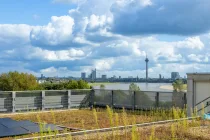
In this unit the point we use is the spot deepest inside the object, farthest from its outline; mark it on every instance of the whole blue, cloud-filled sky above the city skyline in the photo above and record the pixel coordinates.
(67, 37)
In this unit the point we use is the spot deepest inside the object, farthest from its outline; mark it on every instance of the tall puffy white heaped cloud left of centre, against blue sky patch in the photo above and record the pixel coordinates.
(58, 31)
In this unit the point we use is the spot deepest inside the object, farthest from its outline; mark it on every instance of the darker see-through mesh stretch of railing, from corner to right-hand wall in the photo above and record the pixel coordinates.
(139, 99)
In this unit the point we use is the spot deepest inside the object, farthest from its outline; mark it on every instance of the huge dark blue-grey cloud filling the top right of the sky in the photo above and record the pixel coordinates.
(161, 17)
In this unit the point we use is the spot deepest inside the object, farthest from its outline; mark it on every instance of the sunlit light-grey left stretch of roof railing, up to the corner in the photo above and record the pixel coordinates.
(43, 100)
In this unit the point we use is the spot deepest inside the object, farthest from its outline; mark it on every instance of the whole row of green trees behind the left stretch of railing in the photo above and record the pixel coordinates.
(15, 81)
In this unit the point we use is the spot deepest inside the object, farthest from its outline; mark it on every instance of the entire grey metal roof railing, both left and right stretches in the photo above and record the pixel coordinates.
(65, 99)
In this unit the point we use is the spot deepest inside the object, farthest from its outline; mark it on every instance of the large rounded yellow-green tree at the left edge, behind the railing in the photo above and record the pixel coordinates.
(15, 81)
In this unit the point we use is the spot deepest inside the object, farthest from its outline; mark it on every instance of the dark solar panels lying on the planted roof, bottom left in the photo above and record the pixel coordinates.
(9, 127)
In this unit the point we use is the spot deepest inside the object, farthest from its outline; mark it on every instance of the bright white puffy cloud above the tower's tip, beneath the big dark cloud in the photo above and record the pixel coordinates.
(173, 51)
